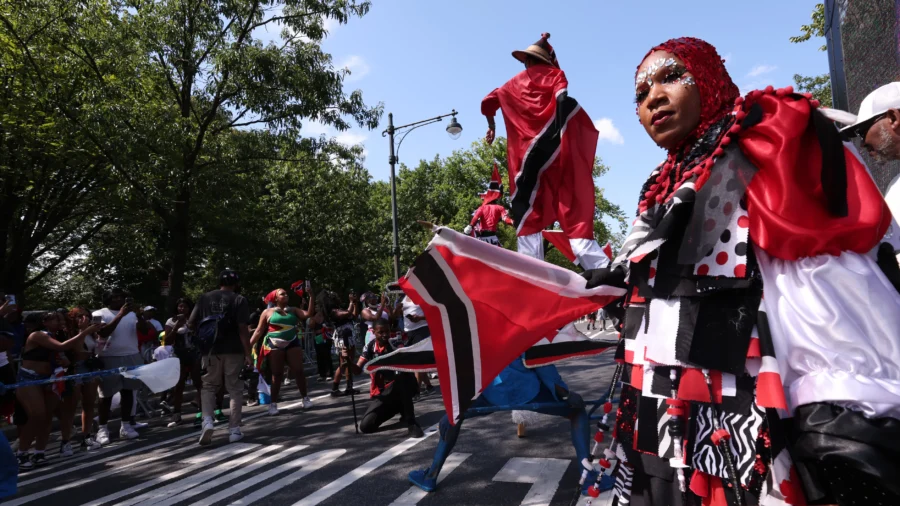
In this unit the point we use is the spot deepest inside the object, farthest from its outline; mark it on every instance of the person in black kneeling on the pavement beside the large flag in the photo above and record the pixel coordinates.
(391, 392)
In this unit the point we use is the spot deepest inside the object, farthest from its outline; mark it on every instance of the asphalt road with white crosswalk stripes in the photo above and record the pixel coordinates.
(315, 457)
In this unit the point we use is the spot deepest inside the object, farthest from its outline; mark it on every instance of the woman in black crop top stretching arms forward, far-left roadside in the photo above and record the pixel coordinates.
(39, 401)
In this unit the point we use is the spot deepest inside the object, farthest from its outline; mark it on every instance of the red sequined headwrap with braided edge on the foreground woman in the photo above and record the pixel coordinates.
(717, 96)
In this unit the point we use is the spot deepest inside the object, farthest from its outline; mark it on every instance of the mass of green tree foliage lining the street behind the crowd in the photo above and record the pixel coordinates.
(153, 142)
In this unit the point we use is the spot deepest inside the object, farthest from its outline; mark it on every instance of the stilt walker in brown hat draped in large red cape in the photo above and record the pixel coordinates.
(551, 143)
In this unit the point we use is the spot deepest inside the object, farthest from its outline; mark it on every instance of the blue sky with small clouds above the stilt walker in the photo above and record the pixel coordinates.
(424, 58)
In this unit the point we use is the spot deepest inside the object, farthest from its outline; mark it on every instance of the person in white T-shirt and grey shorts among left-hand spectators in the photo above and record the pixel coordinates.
(118, 347)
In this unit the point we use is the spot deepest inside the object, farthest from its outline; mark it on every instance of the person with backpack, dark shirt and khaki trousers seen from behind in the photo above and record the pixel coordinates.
(219, 326)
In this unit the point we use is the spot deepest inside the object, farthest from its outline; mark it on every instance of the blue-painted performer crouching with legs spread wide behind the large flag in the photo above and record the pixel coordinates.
(516, 385)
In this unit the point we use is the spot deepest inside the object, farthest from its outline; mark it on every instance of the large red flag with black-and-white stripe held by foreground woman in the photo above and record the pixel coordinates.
(485, 306)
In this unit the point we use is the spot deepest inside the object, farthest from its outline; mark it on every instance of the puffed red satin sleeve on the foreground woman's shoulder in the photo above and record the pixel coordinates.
(786, 204)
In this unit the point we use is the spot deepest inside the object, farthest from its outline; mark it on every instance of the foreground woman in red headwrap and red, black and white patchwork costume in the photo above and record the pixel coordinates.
(791, 398)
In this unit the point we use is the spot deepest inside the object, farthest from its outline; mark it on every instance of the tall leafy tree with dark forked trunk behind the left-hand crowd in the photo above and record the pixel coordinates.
(176, 78)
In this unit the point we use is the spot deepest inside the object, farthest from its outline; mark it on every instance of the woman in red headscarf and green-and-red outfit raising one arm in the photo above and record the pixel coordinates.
(281, 345)
